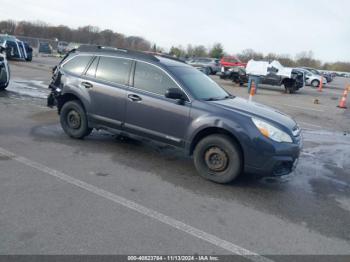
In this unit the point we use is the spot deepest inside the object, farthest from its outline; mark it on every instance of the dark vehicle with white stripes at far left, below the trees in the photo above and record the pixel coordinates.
(15, 48)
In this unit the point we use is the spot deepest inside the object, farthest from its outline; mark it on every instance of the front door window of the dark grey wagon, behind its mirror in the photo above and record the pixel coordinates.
(152, 79)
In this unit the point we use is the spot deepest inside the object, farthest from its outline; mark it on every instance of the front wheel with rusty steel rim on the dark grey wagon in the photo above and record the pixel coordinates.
(218, 158)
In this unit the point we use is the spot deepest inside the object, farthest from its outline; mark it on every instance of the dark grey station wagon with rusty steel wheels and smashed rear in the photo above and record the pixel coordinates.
(148, 96)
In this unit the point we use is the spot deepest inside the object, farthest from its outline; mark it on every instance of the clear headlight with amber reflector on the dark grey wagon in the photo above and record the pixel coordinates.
(271, 132)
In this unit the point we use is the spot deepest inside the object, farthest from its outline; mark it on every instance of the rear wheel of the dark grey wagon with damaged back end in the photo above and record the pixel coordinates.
(73, 120)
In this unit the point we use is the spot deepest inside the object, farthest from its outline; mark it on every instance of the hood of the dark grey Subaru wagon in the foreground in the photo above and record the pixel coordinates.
(257, 110)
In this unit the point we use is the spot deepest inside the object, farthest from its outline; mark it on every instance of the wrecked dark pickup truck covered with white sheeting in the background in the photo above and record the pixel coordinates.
(273, 73)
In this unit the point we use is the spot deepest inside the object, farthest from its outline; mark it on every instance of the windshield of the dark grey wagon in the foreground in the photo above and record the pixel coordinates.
(201, 86)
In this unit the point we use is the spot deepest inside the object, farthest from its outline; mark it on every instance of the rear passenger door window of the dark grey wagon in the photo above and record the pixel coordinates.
(114, 70)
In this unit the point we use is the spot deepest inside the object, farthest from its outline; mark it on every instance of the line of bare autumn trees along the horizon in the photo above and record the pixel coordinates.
(93, 35)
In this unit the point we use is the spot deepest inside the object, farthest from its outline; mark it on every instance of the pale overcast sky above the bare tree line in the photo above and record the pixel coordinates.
(279, 26)
